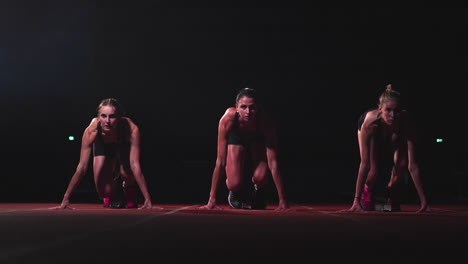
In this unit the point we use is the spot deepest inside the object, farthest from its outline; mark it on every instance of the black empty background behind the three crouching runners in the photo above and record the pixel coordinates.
(176, 70)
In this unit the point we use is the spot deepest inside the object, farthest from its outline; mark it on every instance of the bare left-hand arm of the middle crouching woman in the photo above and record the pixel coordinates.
(224, 126)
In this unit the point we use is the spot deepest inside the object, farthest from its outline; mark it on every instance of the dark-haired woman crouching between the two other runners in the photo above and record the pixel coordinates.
(246, 135)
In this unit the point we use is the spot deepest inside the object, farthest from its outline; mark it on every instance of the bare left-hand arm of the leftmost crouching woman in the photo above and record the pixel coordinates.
(88, 138)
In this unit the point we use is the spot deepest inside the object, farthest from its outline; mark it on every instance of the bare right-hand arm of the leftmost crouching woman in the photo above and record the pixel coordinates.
(135, 163)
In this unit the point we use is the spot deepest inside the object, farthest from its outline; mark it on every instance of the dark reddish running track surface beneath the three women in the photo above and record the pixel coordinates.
(175, 233)
